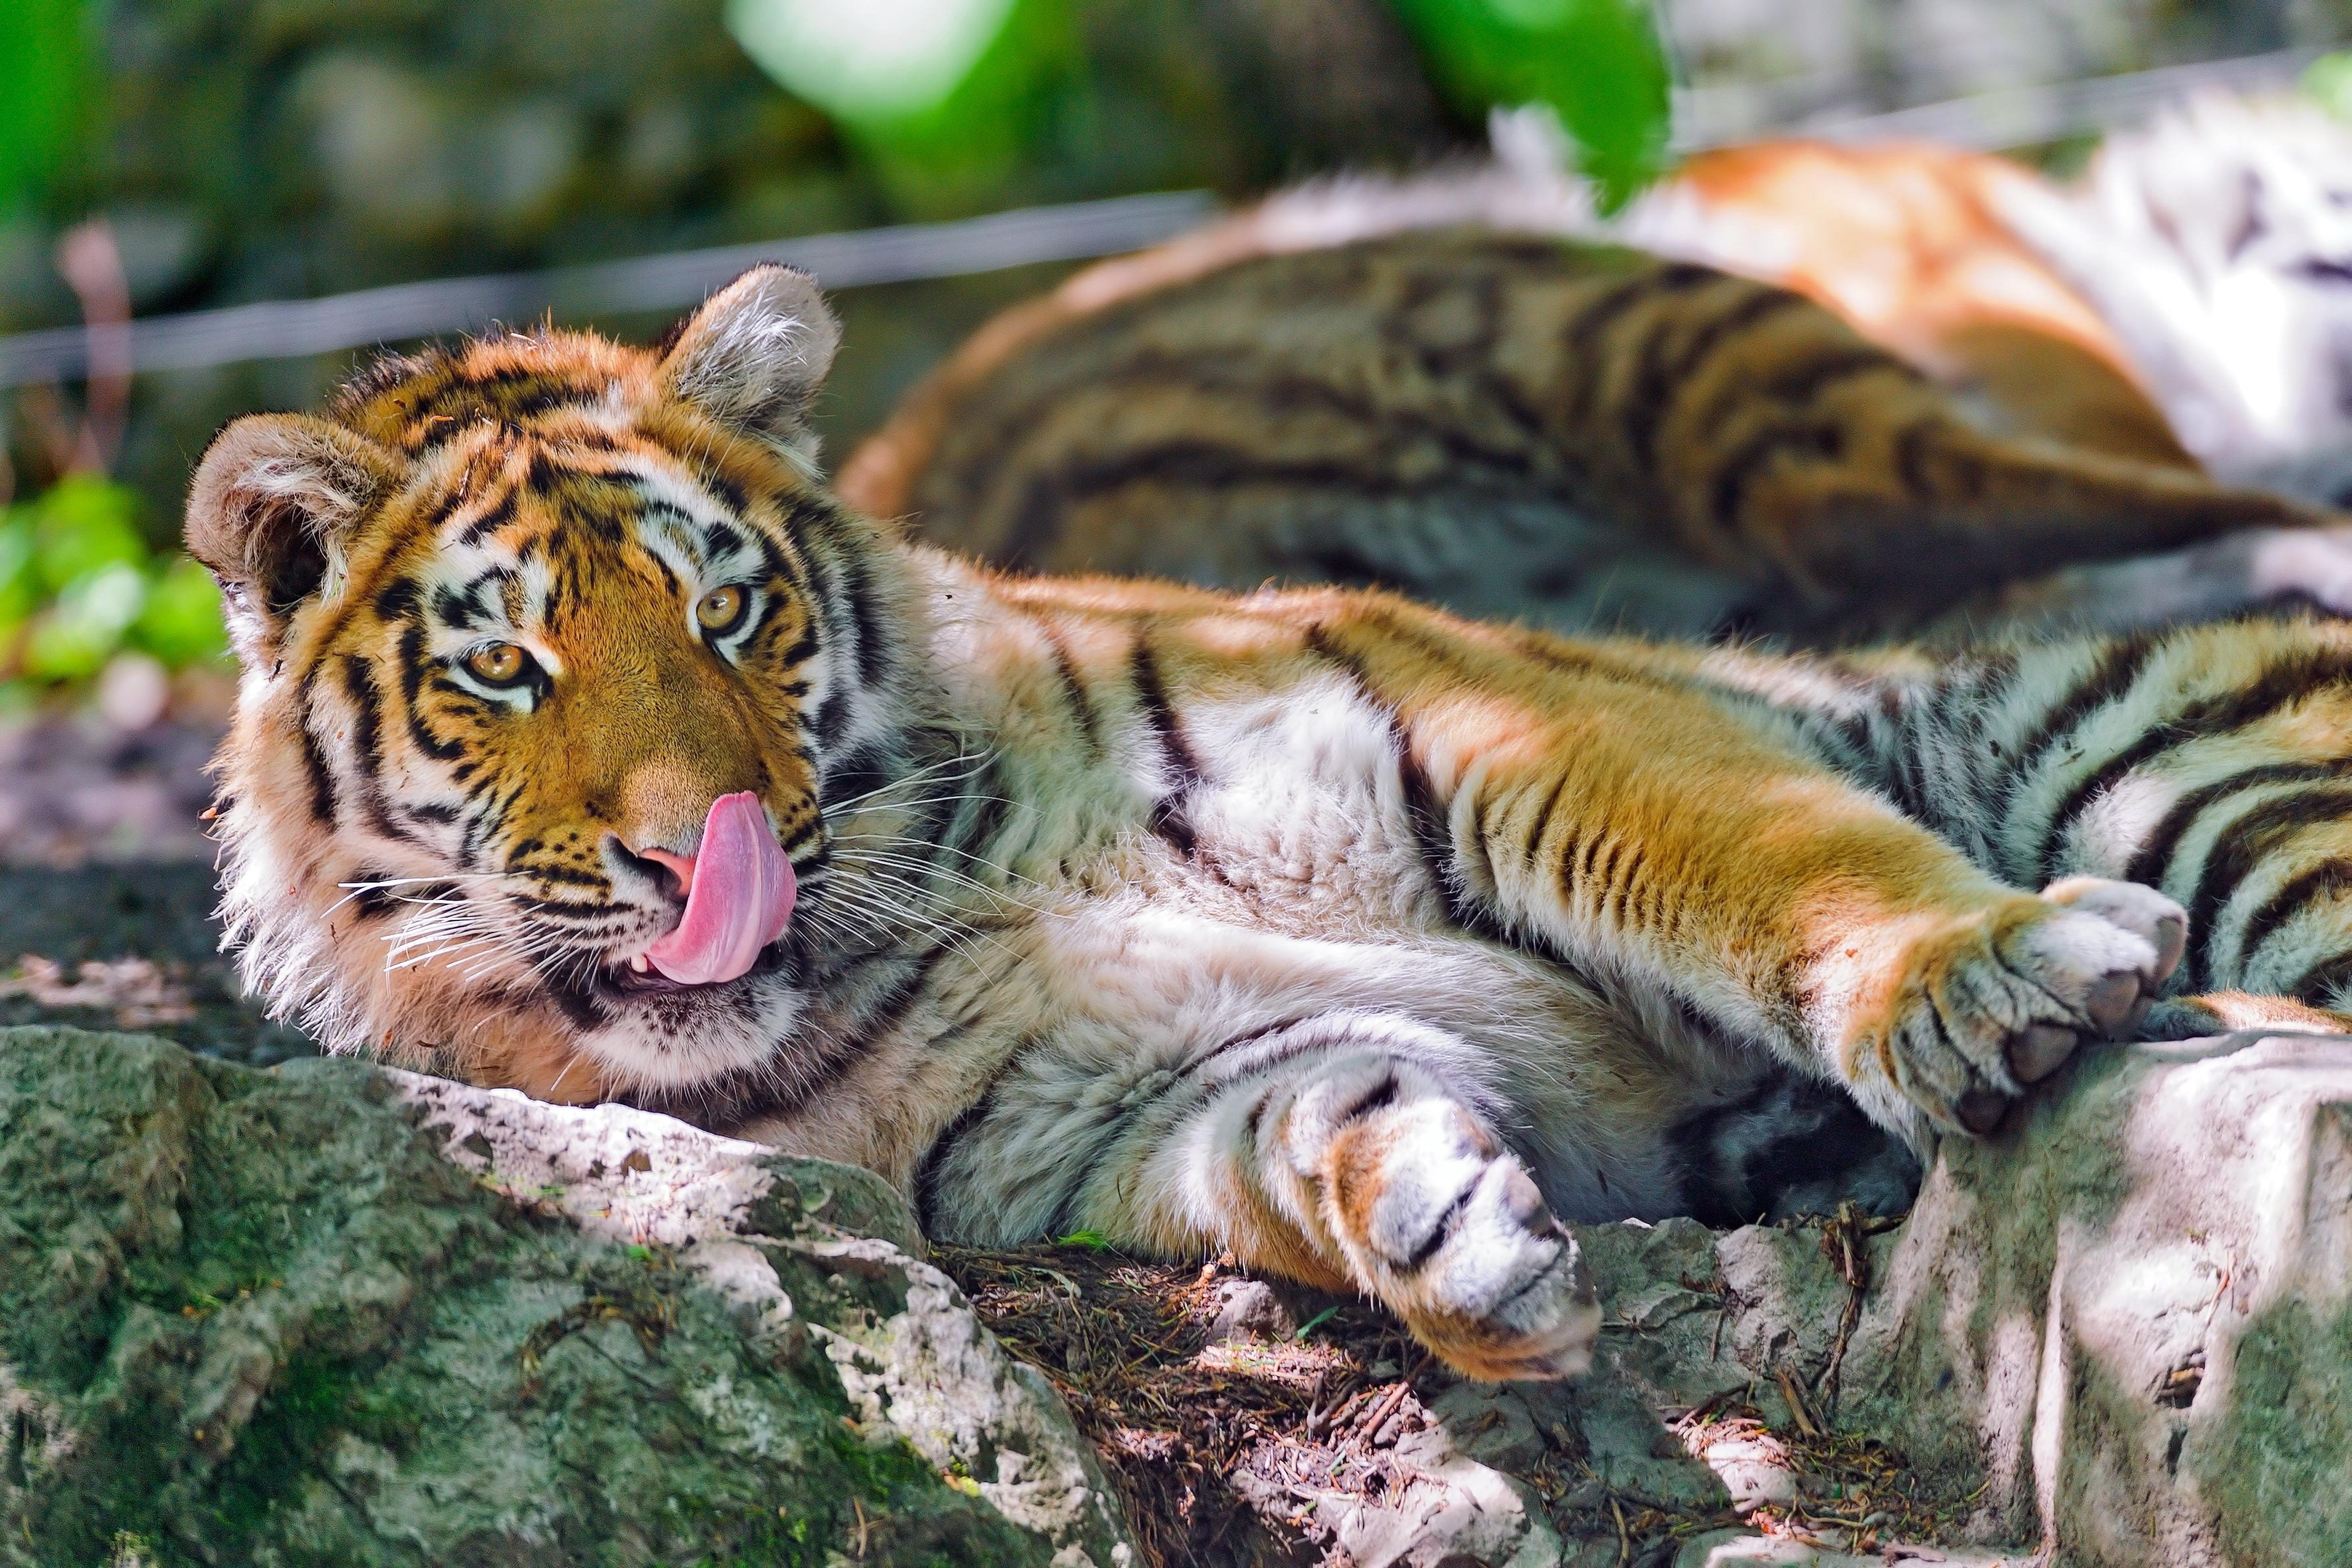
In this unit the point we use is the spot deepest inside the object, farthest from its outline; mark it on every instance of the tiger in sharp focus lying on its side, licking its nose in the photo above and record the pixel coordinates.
(587, 744)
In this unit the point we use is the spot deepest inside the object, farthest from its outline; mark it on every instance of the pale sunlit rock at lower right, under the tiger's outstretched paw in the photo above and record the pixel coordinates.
(2132, 1320)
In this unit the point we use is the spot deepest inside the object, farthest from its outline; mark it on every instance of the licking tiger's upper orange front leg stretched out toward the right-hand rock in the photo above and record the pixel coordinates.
(1688, 852)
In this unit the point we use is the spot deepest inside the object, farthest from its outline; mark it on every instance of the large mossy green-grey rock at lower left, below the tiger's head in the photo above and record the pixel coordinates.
(345, 1315)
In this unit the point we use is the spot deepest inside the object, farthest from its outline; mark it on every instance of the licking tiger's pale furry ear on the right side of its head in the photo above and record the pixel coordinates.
(756, 354)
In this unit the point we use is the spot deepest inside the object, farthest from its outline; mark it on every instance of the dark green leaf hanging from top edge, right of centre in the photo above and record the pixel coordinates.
(1598, 65)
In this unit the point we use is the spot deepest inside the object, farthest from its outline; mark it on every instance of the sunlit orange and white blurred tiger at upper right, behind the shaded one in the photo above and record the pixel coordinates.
(2186, 302)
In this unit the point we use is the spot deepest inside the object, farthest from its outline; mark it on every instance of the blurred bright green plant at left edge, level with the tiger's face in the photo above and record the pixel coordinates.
(79, 587)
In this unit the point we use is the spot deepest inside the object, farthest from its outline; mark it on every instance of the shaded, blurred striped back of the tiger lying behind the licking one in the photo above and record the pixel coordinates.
(1506, 424)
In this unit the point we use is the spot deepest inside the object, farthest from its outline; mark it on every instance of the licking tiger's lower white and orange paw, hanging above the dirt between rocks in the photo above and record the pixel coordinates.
(1450, 1231)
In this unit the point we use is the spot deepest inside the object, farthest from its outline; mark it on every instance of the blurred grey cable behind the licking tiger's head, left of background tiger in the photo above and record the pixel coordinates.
(283, 330)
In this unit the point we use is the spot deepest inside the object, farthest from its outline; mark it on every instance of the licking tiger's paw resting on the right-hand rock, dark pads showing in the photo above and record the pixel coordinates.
(1998, 1003)
